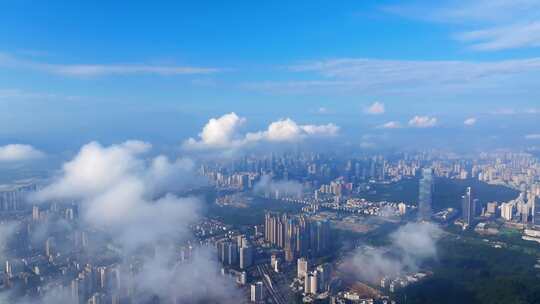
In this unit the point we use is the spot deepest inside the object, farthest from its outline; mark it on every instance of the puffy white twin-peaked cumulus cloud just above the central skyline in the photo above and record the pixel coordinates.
(222, 133)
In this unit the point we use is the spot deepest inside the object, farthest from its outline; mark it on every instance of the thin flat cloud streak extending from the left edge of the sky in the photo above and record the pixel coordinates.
(94, 70)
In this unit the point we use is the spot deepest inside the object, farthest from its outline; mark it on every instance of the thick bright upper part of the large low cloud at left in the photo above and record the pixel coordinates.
(117, 190)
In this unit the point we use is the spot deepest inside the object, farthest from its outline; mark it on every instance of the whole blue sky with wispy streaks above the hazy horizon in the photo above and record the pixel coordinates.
(73, 71)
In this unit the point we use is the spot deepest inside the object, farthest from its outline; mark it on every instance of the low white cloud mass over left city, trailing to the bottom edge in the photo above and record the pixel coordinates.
(132, 199)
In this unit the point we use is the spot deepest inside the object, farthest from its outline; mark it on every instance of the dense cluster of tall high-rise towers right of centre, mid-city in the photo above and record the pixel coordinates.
(297, 235)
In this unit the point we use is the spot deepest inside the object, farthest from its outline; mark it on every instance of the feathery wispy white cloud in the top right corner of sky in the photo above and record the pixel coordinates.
(491, 24)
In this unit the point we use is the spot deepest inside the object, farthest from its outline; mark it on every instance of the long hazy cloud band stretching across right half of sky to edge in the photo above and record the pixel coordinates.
(397, 76)
